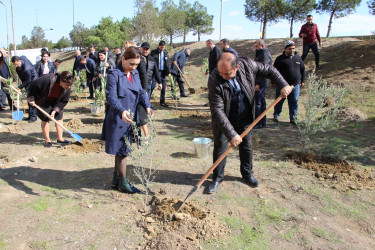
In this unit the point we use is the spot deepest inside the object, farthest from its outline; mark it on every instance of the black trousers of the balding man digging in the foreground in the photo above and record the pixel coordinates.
(245, 150)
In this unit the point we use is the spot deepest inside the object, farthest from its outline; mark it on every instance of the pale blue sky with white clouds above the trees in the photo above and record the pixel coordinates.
(58, 15)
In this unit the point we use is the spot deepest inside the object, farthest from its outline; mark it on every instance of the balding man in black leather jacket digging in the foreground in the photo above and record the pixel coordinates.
(231, 95)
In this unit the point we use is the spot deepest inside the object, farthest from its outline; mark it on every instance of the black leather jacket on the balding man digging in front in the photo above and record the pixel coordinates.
(219, 92)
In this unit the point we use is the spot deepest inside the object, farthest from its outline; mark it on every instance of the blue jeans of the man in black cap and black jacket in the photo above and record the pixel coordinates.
(292, 102)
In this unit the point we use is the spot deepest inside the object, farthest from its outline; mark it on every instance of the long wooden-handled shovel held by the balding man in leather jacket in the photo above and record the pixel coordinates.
(217, 162)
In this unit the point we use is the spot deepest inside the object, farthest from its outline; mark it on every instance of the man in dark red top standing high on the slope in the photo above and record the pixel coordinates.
(310, 34)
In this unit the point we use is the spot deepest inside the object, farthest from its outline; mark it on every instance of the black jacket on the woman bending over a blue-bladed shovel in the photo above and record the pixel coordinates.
(41, 88)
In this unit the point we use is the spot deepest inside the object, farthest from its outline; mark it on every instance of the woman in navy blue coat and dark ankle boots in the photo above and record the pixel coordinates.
(124, 92)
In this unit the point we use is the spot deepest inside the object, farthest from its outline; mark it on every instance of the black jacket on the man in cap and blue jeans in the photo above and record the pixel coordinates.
(291, 68)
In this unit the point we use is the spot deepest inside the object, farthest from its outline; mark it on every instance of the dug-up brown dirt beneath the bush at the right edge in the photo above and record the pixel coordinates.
(344, 175)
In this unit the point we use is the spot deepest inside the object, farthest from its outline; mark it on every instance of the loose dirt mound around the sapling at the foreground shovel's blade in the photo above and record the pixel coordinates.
(166, 229)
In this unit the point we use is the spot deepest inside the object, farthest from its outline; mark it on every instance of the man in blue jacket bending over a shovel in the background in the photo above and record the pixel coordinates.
(180, 59)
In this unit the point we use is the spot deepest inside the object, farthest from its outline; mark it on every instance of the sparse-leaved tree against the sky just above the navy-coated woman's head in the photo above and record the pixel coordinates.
(146, 21)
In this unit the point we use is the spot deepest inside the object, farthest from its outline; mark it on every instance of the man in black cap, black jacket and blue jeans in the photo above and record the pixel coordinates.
(291, 67)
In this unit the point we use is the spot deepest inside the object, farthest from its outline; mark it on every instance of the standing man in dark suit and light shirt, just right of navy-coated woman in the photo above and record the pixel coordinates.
(162, 61)
